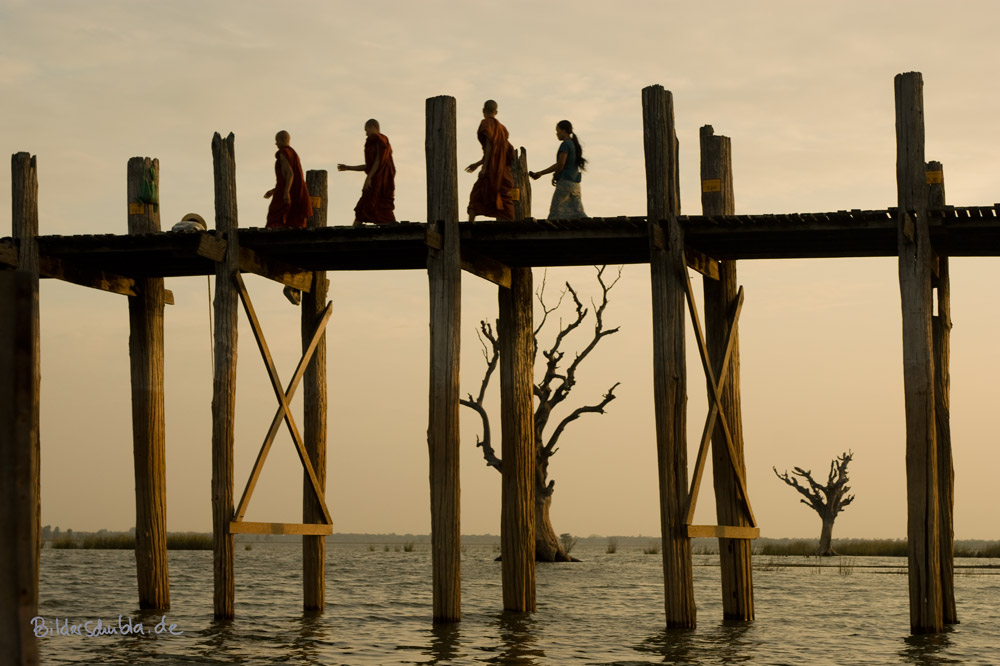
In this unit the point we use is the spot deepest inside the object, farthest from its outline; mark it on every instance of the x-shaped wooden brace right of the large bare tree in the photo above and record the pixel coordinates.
(715, 409)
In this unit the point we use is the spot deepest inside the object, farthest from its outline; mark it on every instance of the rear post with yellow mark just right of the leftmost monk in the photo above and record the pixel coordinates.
(314, 421)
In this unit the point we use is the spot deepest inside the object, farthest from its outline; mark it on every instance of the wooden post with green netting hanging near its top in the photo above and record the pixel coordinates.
(145, 346)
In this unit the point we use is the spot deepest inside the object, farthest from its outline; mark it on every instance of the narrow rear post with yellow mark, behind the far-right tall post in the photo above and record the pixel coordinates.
(941, 324)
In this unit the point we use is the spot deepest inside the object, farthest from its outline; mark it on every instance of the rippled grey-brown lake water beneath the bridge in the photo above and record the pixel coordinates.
(605, 610)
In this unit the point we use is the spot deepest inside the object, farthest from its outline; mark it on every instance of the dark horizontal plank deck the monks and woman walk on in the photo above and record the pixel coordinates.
(955, 231)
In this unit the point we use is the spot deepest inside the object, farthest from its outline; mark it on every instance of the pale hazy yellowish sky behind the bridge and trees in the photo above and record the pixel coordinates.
(806, 98)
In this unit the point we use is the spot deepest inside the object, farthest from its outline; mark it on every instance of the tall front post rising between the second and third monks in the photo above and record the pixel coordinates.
(444, 276)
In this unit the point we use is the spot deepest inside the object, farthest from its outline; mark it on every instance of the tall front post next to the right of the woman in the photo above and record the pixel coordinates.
(667, 270)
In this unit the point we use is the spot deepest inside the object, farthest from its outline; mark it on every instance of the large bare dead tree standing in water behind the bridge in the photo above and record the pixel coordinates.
(553, 388)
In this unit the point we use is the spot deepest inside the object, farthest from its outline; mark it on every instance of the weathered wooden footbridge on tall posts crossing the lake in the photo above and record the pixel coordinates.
(922, 231)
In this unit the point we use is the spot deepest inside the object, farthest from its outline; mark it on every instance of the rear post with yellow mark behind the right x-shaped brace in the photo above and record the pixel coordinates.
(720, 299)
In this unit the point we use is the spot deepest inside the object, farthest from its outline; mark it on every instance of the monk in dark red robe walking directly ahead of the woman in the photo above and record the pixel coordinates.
(491, 195)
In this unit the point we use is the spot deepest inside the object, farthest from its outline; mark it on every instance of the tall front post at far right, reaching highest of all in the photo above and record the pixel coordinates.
(918, 363)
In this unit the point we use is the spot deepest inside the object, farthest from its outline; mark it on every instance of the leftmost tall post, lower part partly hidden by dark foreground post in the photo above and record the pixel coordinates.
(24, 223)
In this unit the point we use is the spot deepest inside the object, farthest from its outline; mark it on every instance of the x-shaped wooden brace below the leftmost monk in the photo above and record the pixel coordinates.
(284, 413)
